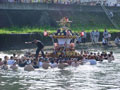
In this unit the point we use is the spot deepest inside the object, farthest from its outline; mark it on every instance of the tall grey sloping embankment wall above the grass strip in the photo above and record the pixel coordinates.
(24, 14)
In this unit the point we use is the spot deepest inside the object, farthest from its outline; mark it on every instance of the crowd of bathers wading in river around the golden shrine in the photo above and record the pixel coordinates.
(30, 63)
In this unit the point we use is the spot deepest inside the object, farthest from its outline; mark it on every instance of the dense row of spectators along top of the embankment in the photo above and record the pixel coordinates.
(66, 2)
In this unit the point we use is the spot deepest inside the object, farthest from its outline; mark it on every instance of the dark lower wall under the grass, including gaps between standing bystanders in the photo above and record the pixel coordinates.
(17, 41)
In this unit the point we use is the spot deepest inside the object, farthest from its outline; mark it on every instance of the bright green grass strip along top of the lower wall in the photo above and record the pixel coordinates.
(24, 30)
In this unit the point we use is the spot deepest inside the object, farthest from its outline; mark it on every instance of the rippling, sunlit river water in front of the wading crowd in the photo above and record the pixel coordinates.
(103, 76)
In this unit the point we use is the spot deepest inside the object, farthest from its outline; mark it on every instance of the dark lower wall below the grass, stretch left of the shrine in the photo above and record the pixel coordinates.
(17, 41)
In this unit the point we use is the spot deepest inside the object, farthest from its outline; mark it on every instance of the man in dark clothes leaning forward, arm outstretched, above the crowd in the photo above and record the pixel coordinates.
(39, 45)
